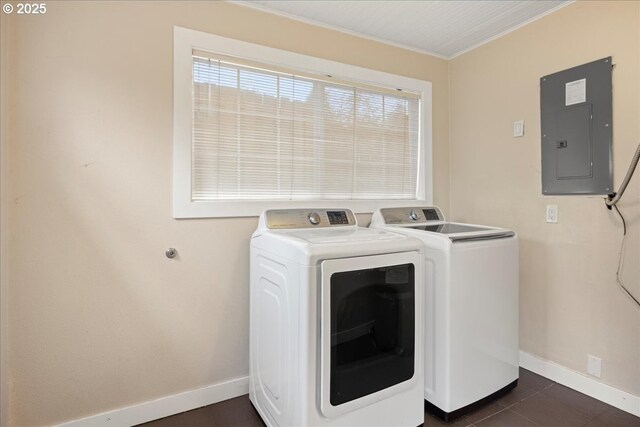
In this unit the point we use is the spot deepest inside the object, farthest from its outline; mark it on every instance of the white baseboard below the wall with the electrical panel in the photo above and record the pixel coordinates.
(582, 383)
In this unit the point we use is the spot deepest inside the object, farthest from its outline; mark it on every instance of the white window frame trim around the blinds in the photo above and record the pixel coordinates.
(186, 40)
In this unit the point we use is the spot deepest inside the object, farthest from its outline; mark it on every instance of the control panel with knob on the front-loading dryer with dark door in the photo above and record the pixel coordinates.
(309, 218)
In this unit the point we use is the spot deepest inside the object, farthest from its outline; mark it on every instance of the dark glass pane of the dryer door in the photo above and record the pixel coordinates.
(372, 330)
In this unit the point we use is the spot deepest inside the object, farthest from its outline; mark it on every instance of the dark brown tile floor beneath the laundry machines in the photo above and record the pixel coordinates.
(536, 401)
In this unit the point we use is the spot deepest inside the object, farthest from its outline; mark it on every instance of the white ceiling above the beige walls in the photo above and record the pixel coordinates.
(441, 28)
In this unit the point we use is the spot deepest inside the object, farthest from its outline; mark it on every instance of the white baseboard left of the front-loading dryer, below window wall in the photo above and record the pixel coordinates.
(165, 406)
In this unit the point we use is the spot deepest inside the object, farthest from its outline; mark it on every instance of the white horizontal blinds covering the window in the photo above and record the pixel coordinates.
(261, 134)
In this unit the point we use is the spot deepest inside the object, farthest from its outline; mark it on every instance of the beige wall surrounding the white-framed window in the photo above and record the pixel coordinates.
(99, 318)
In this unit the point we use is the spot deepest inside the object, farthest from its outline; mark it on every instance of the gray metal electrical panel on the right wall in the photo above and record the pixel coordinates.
(575, 115)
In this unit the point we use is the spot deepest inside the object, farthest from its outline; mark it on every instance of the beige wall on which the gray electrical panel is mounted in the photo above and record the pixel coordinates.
(570, 304)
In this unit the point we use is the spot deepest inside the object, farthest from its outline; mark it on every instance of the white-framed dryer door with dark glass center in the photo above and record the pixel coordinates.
(370, 329)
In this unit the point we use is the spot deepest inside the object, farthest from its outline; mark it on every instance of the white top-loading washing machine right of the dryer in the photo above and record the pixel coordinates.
(471, 307)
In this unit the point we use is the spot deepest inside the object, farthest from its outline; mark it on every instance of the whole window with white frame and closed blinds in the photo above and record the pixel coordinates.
(250, 135)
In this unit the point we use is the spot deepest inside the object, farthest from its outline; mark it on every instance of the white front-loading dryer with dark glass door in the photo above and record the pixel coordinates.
(336, 322)
